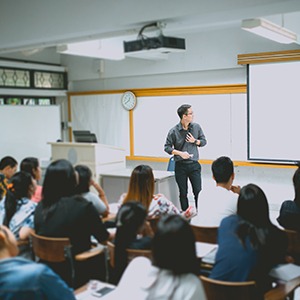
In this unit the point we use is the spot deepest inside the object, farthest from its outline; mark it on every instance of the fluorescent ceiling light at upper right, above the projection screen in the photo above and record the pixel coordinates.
(270, 31)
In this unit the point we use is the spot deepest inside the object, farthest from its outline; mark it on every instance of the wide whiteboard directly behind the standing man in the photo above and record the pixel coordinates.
(221, 116)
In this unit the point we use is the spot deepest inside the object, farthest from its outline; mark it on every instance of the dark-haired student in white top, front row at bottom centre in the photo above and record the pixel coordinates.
(173, 273)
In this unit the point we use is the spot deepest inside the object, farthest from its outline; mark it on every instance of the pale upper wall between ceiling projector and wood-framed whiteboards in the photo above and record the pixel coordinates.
(210, 59)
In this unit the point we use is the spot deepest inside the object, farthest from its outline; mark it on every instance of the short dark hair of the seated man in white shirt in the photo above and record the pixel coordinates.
(222, 169)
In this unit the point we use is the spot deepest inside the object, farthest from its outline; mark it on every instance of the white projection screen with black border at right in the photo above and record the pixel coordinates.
(273, 112)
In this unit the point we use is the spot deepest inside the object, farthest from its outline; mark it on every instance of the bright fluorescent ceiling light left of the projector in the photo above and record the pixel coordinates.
(111, 48)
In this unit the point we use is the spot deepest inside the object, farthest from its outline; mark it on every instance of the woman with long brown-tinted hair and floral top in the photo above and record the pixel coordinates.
(141, 188)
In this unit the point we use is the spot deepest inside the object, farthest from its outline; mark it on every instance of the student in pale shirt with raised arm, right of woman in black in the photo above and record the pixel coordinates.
(83, 189)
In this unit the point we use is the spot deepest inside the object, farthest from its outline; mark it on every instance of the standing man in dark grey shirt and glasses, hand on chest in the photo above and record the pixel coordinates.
(183, 141)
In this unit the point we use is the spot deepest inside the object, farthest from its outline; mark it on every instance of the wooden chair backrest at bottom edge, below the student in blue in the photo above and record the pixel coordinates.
(224, 290)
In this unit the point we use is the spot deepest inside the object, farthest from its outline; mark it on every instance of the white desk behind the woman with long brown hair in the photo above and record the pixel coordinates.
(116, 182)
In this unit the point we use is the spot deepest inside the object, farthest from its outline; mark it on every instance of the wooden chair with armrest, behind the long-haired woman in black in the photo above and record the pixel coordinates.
(58, 250)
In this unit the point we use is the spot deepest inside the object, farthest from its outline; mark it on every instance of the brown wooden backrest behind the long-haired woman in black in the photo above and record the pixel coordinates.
(49, 249)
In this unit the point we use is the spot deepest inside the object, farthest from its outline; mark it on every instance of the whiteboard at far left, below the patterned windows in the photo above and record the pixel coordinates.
(26, 130)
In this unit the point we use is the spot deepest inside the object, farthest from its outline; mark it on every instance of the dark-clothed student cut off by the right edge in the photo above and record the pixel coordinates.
(289, 215)
